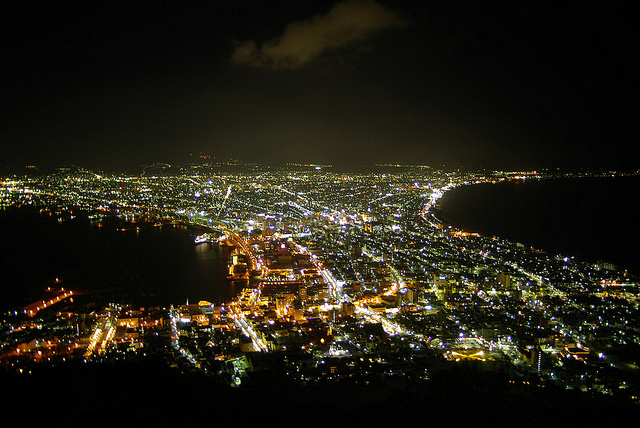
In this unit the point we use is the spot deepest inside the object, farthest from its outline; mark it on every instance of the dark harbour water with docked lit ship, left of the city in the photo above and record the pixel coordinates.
(149, 266)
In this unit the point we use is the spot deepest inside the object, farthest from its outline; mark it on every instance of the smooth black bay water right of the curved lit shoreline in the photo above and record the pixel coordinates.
(592, 219)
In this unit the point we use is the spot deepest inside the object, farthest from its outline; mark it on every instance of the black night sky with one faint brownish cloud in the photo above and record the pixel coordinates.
(480, 84)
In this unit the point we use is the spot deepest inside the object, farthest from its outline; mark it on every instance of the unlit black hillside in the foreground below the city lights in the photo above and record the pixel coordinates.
(148, 395)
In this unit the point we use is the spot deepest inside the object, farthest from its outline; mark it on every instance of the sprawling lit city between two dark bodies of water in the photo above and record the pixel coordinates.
(347, 277)
